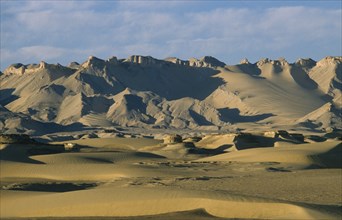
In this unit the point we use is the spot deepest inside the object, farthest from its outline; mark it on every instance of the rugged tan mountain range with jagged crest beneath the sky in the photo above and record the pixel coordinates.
(149, 93)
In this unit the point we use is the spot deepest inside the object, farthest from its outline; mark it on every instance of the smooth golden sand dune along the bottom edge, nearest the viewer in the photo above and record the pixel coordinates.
(127, 203)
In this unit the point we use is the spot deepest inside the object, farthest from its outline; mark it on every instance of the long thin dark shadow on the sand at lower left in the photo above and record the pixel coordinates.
(50, 186)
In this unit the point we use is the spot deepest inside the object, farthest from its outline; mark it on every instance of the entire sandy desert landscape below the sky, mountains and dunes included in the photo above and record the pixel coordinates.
(145, 138)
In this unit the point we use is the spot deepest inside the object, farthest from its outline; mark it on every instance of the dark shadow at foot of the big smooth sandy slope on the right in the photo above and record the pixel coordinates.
(233, 116)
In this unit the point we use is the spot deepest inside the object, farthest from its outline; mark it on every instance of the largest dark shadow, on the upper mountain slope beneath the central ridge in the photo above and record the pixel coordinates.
(170, 81)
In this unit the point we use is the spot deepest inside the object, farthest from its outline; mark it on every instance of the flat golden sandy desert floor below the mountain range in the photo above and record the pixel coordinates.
(144, 178)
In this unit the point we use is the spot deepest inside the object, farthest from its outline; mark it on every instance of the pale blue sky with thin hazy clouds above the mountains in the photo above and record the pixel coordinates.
(65, 31)
